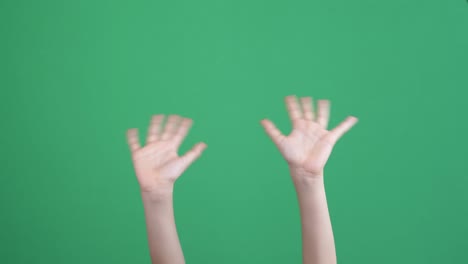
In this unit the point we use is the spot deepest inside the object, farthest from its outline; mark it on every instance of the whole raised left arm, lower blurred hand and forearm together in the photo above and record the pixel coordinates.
(157, 167)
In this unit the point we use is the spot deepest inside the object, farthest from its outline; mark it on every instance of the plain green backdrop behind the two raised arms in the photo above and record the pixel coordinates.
(76, 74)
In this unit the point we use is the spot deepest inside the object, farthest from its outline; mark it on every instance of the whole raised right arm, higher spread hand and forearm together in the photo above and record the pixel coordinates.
(306, 150)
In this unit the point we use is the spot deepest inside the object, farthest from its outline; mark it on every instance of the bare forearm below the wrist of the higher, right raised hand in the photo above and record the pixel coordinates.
(318, 246)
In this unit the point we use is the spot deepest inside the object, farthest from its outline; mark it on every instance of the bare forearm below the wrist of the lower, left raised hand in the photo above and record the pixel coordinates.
(163, 239)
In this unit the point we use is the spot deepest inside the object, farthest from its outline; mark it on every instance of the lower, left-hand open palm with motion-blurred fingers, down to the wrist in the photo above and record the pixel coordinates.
(157, 164)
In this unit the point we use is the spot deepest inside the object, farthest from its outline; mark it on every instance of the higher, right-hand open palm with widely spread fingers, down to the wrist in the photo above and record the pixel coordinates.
(308, 146)
